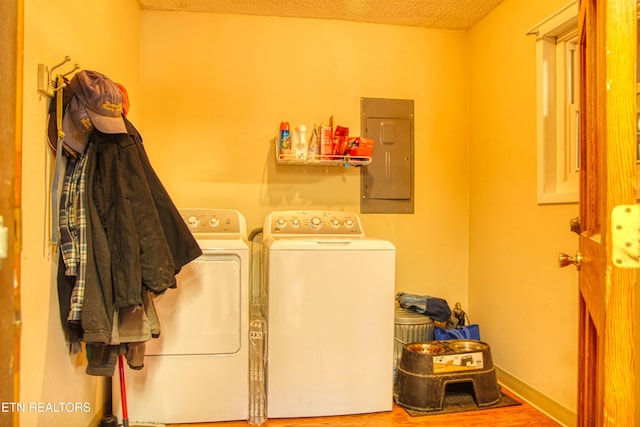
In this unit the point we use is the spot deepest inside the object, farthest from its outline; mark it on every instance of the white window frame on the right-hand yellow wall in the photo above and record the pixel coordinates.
(558, 180)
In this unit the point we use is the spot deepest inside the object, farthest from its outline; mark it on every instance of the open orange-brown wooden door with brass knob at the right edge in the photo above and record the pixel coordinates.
(607, 179)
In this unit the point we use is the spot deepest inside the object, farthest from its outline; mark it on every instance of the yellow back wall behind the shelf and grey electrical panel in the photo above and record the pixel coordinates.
(215, 88)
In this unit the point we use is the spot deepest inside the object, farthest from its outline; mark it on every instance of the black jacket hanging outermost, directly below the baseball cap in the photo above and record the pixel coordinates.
(148, 242)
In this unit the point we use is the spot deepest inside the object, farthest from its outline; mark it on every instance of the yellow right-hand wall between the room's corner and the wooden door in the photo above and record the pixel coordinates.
(526, 305)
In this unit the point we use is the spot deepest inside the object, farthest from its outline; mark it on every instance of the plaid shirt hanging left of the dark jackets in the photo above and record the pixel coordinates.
(73, 231)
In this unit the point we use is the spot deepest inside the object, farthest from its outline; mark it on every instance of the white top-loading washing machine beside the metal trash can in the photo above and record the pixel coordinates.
(330, 315)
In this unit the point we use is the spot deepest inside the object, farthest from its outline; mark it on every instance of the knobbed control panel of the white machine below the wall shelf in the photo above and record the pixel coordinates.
(304, 223)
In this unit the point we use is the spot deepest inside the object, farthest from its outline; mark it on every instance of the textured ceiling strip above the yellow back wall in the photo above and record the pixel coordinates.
(446, 14)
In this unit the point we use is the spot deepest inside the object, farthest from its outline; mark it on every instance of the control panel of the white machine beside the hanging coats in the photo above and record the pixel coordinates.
(223, 222)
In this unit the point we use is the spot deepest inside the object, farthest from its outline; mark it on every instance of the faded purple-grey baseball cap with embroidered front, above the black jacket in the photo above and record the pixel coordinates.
(102, 99)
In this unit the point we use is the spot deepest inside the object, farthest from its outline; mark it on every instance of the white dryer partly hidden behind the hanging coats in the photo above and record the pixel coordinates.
(197, 370)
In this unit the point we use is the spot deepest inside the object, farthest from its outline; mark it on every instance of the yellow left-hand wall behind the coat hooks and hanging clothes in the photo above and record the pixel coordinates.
(102, 35)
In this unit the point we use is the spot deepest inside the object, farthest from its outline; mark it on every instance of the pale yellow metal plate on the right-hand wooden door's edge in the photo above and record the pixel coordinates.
(625, 236)
